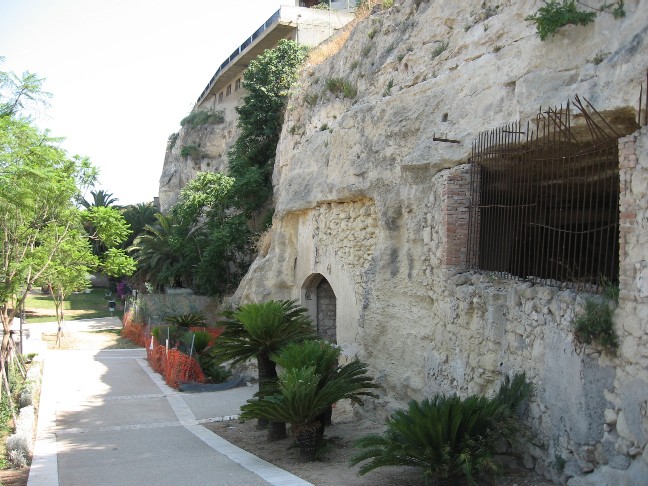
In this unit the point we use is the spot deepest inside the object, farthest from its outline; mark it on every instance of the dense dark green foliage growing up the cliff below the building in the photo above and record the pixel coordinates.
(205, 242)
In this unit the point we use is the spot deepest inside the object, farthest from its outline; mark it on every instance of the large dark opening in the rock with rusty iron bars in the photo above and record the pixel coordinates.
(545, 200)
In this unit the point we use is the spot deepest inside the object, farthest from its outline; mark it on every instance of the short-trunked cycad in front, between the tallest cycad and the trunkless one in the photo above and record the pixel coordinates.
(301, 399)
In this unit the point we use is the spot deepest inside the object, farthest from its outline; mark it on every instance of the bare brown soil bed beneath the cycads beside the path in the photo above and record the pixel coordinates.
(333, 469)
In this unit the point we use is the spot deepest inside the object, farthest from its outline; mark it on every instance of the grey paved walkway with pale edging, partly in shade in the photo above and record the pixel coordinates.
(106, 419)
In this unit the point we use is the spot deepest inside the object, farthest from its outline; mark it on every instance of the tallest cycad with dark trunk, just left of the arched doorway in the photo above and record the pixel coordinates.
(260, 330)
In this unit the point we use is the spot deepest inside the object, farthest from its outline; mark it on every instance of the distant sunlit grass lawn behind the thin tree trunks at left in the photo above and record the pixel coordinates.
(39, 307)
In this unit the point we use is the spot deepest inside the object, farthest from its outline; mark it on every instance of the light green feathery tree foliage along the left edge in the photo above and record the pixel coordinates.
(43, 239)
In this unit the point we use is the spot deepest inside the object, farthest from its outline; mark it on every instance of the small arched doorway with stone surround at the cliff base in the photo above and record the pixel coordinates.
(319, 298)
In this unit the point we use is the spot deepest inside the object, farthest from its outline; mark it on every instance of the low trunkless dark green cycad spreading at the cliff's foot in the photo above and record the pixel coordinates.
(446, 436)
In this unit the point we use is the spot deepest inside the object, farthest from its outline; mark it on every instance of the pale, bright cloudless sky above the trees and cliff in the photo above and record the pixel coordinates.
(123, 73)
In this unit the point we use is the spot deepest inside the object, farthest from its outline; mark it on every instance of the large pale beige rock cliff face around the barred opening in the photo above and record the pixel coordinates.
(362, 192)
